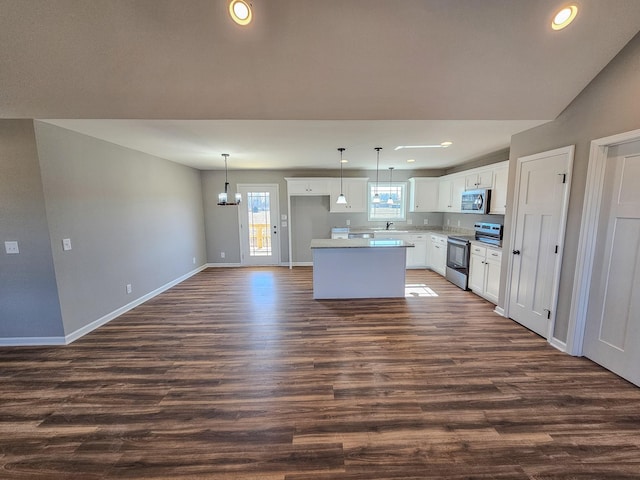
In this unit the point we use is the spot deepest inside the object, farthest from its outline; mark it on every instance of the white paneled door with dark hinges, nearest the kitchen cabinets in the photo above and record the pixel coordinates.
(542, 193)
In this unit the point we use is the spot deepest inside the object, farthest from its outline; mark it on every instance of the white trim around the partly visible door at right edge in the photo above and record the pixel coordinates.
(598, 156)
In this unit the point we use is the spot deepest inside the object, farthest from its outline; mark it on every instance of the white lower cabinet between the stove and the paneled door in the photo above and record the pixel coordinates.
(484, 272)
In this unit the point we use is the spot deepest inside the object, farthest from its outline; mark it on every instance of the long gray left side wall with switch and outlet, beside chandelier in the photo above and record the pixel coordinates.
(132, 219)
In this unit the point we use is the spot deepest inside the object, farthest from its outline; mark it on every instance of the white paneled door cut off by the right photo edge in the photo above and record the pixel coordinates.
(612, 334)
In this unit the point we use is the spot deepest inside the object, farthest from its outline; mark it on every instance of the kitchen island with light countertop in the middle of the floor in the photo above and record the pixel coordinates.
(359, 268)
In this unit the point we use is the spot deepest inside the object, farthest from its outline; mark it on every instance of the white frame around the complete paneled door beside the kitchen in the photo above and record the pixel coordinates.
(568, 150)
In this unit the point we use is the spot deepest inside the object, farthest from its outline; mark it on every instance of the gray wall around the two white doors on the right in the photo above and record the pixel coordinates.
(610, 104)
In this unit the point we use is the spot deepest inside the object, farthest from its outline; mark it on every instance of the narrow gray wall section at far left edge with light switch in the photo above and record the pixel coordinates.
(29, 304)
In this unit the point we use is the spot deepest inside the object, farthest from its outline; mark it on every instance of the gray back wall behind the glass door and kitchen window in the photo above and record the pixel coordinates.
(221, 223)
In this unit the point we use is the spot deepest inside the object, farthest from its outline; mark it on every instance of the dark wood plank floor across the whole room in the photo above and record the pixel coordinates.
(239, 374)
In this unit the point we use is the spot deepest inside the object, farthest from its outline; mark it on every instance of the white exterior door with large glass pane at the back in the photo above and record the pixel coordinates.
(258, 218)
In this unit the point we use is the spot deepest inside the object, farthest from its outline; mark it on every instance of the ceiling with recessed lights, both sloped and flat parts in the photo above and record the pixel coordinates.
(177, 79)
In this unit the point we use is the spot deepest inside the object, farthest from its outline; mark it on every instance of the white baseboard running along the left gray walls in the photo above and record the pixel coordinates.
(71, 337)
